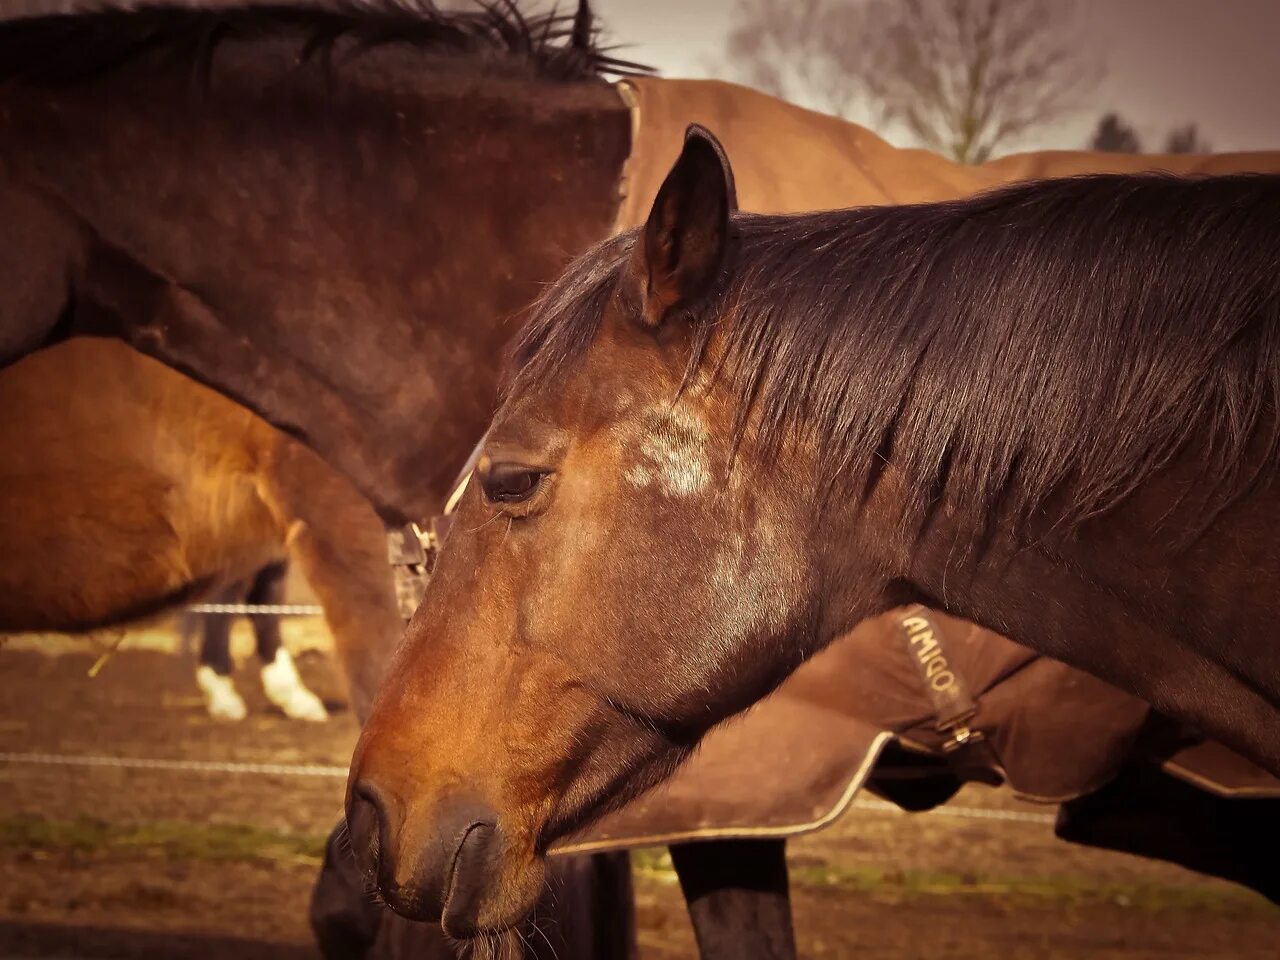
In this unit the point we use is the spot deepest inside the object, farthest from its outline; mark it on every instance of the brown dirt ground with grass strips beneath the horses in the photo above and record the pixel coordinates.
(121, 862)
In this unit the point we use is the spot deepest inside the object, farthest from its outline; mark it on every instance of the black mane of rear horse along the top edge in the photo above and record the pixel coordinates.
(61, 42)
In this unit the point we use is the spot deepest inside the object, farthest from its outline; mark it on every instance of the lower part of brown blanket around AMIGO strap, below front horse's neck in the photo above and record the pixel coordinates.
(796, 762)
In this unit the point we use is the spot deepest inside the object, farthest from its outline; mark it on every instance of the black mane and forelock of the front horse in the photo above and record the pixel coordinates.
(1053, 341)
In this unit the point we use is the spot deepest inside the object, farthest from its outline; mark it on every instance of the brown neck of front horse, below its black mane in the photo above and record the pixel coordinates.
(1123, 597)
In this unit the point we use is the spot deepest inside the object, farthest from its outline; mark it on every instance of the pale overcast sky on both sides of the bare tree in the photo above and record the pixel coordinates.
(1215, 63)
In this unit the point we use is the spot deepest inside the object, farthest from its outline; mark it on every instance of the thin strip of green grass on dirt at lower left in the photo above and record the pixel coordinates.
(173, 840)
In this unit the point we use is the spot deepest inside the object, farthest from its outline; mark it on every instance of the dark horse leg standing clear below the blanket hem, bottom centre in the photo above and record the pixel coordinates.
(738, 898)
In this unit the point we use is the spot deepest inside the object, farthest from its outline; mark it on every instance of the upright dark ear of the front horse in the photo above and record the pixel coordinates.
(682, 249)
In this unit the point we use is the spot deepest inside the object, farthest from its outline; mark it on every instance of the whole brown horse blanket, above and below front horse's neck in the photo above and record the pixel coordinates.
(796, 762)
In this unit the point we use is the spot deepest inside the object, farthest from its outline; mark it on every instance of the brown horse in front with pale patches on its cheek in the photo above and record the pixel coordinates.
(1050, 410)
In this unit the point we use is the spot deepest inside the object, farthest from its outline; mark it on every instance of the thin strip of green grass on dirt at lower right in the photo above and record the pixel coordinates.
(655, 865)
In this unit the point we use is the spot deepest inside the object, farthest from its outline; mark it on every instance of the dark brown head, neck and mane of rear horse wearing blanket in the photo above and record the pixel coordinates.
(290, 204)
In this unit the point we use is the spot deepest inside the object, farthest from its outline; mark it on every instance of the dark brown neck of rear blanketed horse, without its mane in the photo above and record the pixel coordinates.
(342, 257)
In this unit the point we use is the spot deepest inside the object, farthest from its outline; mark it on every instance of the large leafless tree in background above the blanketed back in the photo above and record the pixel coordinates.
(963, 77)
